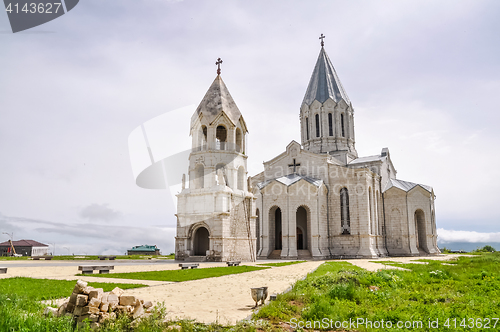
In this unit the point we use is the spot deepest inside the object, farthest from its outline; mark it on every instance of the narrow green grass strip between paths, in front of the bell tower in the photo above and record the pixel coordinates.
(182, 275)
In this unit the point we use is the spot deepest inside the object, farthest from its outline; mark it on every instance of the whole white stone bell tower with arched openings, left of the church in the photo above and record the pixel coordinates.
(215, 209)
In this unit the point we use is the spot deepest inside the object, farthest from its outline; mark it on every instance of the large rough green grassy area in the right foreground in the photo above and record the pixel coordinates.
(469, 289)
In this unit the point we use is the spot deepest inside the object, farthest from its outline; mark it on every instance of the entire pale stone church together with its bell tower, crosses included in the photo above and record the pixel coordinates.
(316, 200)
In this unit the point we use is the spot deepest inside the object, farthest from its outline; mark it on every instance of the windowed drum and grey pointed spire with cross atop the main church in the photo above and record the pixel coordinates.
(326, 114)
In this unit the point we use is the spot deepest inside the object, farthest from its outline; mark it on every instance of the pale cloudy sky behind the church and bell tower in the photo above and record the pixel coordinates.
(423, 78)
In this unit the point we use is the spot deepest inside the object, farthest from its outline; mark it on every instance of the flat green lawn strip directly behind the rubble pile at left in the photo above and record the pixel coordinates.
(48, 289)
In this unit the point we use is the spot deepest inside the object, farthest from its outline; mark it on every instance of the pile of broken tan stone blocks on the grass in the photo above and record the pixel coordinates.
(97, 306)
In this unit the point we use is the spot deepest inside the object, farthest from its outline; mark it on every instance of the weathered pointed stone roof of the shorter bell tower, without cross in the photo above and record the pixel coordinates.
(217, 100)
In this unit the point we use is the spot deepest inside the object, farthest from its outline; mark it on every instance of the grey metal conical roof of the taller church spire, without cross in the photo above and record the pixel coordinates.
(324, 82)
